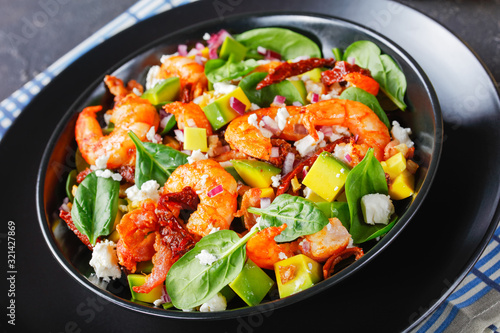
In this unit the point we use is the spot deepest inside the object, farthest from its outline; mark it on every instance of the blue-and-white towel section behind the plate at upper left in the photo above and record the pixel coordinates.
(12, 106)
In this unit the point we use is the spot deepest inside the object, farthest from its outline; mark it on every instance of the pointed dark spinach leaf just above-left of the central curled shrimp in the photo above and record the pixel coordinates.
(155, 161)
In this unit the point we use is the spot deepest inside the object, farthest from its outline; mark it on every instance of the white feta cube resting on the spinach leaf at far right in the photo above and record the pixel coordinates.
(377, 208)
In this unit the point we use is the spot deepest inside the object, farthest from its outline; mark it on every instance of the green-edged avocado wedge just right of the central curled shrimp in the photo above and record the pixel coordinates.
(256, 173)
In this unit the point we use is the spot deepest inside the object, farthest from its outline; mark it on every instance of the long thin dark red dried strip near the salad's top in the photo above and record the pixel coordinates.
(289, 69)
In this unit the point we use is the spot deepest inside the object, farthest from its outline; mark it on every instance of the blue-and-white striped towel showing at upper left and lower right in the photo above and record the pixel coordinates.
(473, 307)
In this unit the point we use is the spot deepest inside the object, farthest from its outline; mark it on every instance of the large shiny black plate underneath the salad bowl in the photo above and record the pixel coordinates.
(424, 263)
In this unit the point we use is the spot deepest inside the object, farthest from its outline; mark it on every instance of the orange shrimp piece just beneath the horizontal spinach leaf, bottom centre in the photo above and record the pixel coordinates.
(263, 250)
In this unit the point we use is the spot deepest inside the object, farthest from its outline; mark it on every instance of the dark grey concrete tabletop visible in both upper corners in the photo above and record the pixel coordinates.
(34, 34)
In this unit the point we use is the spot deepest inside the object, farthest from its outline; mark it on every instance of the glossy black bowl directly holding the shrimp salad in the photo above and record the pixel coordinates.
(423, 117)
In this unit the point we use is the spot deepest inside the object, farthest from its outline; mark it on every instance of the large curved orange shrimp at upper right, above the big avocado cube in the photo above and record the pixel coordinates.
(357, 117)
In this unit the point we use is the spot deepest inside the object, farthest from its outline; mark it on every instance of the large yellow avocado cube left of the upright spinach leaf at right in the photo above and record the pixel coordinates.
(327, 176)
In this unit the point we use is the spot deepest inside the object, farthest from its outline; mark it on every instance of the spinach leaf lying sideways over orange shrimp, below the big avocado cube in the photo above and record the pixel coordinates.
(301, 216)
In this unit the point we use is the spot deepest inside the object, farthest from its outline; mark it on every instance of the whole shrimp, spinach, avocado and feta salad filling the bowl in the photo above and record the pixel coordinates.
(247, 167)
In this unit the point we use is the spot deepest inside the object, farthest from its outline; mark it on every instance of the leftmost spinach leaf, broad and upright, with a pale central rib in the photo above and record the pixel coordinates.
(95, 206)
